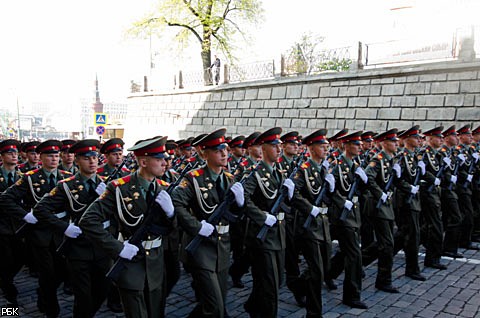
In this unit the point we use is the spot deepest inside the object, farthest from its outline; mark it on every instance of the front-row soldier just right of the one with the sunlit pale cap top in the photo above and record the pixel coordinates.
(201, 191)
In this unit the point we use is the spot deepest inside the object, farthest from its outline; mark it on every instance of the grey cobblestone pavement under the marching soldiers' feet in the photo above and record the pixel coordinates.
(450, 293)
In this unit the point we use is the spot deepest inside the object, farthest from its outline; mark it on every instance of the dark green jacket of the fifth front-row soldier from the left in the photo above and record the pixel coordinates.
(261, 192)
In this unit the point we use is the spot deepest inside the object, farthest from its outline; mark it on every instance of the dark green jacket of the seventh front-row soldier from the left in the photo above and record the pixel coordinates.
(344, 173)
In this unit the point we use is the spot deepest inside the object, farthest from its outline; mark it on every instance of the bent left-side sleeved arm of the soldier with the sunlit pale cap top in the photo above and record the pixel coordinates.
(92, 223)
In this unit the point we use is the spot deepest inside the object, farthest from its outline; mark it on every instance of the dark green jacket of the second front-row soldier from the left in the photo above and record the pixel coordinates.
(70, 195)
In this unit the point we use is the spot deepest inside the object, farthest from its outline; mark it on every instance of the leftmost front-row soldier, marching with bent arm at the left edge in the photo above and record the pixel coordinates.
(22, 197)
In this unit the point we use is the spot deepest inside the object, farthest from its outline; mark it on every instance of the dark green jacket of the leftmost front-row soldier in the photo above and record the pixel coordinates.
(20, 198)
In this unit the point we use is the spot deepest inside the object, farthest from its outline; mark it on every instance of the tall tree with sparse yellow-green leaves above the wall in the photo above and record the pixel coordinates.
(209, 22)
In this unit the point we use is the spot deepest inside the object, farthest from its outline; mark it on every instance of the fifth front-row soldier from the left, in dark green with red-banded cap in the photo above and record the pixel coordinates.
(268, 256)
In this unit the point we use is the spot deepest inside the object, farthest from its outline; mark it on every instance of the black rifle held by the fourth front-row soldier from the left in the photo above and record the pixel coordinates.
(220, 211)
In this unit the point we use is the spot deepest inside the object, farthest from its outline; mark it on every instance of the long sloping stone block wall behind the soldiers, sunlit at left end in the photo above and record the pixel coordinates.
(428, 94)
